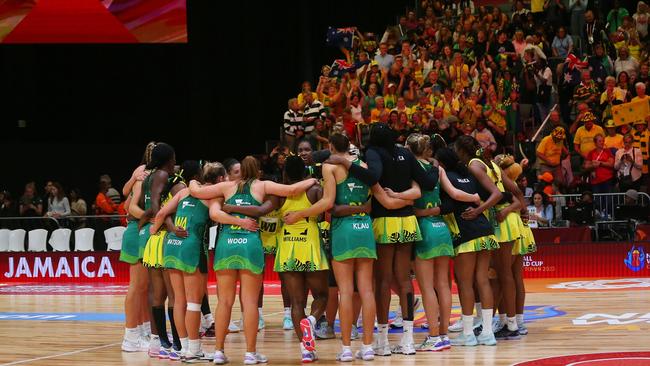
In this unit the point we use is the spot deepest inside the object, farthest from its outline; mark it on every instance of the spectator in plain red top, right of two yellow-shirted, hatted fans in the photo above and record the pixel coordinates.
(599, 162)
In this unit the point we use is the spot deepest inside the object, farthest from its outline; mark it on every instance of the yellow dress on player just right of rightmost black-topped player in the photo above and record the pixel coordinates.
(510, 228)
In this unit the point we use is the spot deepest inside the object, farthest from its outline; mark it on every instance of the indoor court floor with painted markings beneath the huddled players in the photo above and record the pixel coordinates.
(83, 325)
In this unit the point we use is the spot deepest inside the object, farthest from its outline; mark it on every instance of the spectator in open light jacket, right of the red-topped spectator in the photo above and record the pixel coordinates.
(628, 164)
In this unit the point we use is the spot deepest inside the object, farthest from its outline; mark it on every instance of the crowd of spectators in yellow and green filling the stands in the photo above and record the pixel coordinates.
(452, 68)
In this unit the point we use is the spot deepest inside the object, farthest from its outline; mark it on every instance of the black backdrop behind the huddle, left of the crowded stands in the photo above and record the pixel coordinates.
(90, 109)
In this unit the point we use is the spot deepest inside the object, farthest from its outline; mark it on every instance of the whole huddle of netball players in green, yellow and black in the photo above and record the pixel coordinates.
(362, 227)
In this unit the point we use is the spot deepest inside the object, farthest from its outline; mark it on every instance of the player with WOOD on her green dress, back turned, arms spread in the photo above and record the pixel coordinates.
(239, 253)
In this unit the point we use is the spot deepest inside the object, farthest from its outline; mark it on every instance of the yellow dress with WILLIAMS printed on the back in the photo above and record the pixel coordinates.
(299, 244)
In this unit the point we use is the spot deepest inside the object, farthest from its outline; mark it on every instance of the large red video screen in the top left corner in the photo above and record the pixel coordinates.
(93, 21)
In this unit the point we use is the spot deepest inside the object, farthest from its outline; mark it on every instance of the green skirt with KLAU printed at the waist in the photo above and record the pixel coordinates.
(352, 237)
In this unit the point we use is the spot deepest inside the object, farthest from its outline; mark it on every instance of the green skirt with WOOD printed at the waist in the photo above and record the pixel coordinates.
(239, 249)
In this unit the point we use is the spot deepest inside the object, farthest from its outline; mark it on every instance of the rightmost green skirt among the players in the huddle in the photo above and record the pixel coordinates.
(436, 239)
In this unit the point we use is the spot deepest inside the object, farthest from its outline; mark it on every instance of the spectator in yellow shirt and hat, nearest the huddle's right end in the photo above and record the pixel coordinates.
(551, 150)
